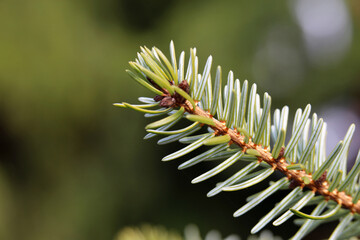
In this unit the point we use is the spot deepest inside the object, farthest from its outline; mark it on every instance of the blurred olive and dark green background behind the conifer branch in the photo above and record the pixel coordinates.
(72, 166)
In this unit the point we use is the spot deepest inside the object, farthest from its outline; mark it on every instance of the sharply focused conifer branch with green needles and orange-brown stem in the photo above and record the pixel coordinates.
(240, 128)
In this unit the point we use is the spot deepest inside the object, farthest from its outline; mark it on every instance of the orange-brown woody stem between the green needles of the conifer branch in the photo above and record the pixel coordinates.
(296, 177)
